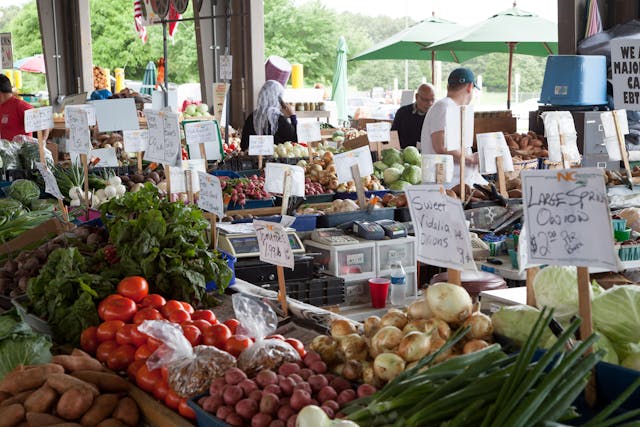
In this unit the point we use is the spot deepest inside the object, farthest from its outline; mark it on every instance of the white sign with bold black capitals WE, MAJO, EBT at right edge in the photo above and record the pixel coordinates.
(625, 78)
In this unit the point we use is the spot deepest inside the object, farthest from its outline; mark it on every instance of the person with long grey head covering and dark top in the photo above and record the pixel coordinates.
(272, 116)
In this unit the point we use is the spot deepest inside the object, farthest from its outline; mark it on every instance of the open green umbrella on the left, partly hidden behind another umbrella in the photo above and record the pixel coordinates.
(413, 42)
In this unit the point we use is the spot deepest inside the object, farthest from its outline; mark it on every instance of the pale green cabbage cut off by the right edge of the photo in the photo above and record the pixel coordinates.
(616, 313)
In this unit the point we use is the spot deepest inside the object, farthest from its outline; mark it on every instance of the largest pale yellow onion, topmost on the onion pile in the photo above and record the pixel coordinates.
(449, 302)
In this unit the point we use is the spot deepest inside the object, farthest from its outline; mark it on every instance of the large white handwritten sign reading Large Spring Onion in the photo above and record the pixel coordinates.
(566, 213)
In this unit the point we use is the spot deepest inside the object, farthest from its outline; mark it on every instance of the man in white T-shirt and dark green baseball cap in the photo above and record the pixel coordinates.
(460, 87)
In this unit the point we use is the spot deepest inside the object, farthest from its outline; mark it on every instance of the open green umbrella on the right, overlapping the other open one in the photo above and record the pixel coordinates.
(511, 31)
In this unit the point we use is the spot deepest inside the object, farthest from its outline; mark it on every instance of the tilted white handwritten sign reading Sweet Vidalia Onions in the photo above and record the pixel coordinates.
(441, 229)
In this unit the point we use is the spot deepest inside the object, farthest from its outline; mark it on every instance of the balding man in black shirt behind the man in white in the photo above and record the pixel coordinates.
(409, 119)
